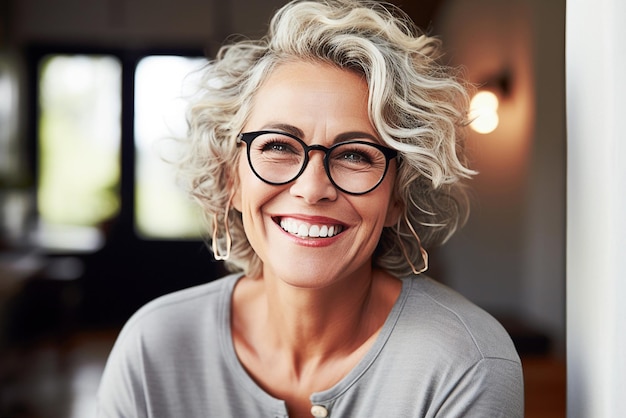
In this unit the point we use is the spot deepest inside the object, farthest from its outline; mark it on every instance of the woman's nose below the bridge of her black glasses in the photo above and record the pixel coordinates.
(313, 185)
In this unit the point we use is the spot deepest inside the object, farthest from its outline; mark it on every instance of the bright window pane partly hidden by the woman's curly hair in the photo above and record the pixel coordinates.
(161, 85)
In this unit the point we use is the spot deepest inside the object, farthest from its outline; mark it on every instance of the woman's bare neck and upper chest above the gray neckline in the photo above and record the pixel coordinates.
(295, 341)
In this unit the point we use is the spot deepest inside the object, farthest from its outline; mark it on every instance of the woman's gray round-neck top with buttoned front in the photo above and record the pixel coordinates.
(438, 355)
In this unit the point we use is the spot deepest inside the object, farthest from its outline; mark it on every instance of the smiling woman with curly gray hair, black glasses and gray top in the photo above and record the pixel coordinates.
(323, 156)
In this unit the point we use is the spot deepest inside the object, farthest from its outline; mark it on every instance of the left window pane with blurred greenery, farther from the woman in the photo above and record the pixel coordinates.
(79, 146)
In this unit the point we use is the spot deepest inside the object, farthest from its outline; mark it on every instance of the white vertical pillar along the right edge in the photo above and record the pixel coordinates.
(596, 207)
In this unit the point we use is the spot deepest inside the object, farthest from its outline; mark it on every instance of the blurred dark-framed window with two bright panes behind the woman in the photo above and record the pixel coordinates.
(82, 152)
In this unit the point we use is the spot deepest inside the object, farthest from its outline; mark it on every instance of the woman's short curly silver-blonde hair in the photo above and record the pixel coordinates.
(417, 106)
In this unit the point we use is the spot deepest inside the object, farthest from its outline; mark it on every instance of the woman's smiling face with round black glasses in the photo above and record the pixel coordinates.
(360, 208)
